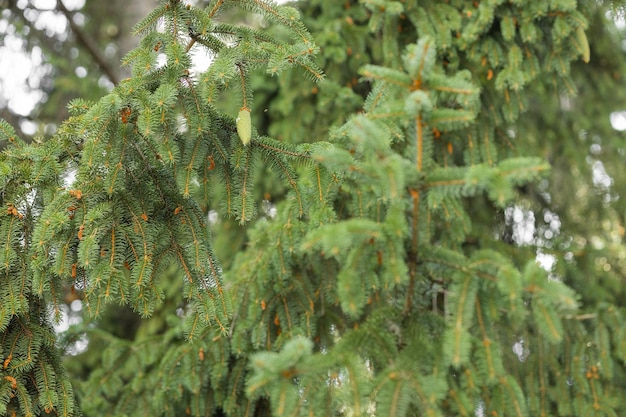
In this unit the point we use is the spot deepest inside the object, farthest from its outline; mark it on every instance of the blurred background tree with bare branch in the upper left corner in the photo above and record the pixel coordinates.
(75, 51)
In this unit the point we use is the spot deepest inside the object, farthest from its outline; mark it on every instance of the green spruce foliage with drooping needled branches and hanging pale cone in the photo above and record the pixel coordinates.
(374, 287)
